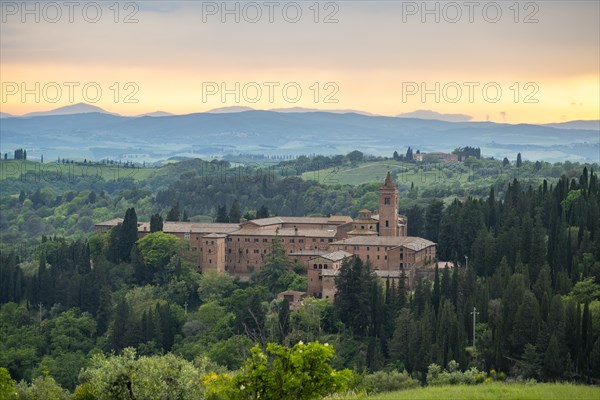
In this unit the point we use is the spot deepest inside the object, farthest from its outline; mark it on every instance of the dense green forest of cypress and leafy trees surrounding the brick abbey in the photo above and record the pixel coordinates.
(76, 306)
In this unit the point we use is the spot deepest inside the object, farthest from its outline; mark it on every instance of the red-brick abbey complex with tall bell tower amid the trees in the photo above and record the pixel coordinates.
(321, 244)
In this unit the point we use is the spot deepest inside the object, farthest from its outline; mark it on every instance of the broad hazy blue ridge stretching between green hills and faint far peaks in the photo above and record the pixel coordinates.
(98, 135)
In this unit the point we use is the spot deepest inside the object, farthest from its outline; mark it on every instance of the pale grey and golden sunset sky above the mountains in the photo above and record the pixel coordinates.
(504, 61)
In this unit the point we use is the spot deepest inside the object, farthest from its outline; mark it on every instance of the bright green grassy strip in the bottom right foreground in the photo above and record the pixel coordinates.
(497, 391)
